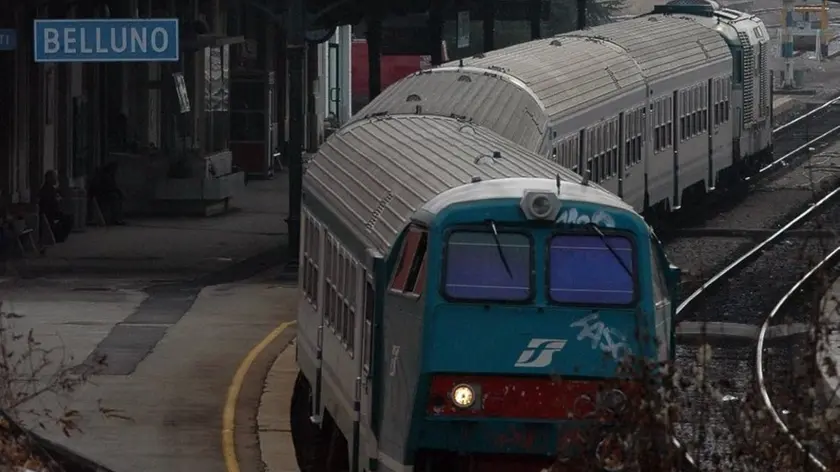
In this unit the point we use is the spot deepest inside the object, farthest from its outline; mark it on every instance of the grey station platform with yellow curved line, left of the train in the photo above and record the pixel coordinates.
(173, 306)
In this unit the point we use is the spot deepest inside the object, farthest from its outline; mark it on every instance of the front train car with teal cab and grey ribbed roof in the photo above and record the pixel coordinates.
(462, 299)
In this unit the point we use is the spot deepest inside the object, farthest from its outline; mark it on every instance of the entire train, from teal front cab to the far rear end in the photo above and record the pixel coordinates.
(475, 261)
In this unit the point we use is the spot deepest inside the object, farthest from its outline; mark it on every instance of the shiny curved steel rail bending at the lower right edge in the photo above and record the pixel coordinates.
(759, 358)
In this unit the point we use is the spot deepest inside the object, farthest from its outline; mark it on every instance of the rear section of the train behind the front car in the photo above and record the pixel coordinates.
(656, 109)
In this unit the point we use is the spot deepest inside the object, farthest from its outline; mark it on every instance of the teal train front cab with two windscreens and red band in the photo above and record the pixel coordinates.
(495, 353)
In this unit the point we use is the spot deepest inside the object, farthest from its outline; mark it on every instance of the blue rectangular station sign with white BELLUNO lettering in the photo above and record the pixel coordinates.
(107, 40)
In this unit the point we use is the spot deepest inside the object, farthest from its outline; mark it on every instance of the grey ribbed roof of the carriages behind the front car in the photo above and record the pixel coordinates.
(556, 76)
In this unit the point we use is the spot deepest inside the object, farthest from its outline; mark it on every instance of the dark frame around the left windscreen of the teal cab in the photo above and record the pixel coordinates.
(532, 282)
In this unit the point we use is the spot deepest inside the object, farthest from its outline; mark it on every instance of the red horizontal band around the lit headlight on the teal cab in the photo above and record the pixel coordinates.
(520, 397)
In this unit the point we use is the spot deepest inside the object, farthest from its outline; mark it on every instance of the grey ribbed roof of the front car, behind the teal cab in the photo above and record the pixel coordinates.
(375, 174)
